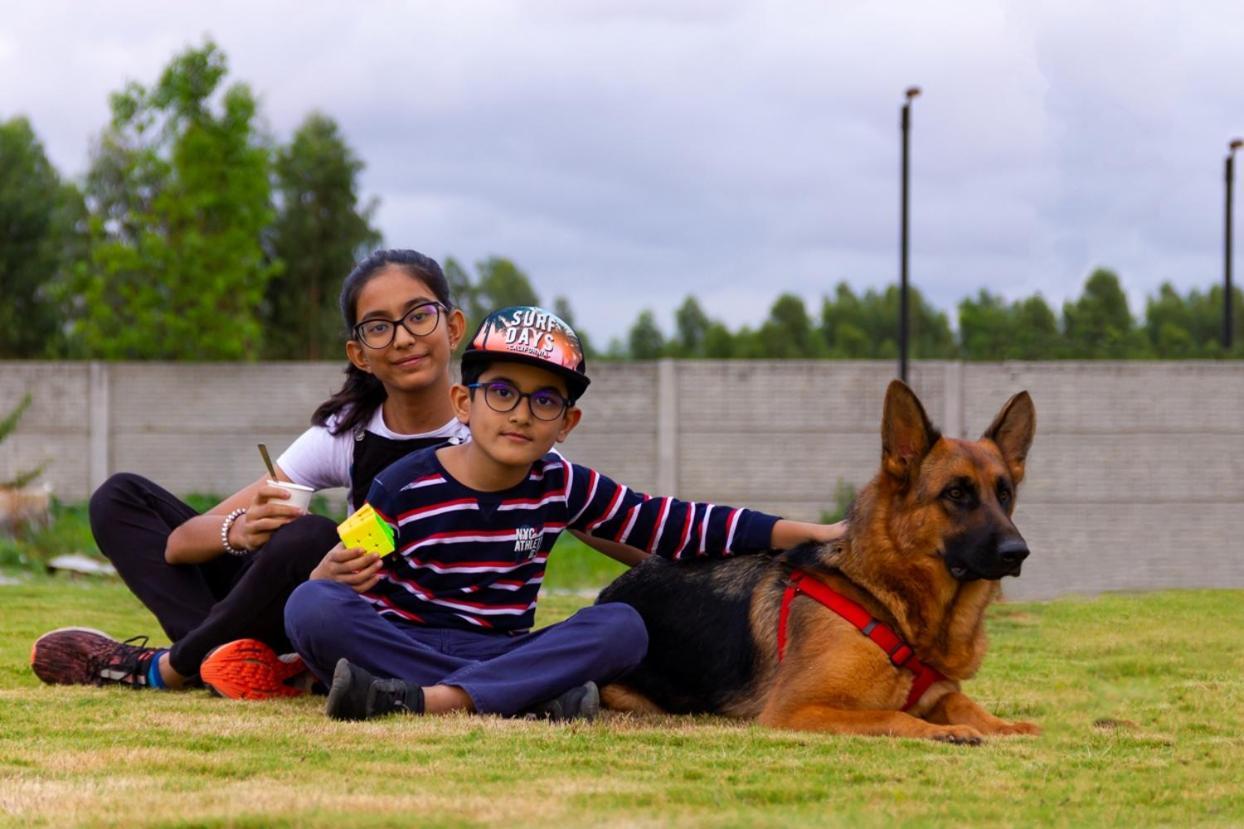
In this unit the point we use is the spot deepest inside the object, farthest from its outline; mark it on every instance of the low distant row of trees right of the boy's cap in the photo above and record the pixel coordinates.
(864, 327)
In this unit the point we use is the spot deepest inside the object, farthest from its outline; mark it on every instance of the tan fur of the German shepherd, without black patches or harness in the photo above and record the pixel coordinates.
(891, 562)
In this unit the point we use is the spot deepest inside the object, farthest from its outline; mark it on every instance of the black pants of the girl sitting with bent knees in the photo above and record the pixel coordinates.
(203, 606)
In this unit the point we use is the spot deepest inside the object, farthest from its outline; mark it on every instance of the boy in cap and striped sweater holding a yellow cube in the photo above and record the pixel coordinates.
(446, 619)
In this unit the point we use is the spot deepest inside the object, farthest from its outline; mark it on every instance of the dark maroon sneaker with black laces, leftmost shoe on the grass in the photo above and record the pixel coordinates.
(86, 657)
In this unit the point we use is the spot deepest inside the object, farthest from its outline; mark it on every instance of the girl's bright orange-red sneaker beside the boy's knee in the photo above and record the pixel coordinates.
(247, 669)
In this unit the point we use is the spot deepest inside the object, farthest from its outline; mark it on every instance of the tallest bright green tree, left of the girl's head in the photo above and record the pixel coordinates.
(179, 196)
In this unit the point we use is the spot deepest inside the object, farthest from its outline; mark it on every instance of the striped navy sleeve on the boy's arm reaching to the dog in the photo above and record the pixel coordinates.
(671, 528)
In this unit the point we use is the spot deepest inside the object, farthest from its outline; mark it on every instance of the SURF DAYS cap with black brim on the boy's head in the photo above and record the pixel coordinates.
(534, 337)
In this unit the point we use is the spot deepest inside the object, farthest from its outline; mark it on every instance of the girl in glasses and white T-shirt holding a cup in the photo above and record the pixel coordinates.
(226, 576)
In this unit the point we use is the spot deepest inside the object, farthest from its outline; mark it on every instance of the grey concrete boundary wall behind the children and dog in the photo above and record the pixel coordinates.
(1136, 480)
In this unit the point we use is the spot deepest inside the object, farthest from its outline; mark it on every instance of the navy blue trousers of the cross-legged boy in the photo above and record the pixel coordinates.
(504, 675)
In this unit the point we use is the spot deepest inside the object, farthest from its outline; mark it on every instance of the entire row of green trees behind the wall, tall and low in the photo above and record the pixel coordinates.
(195, 236)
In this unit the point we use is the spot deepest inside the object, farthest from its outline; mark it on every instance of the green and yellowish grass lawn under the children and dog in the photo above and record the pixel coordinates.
(1141, 698)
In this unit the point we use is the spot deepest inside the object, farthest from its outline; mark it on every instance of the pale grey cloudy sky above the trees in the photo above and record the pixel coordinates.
(628, 154)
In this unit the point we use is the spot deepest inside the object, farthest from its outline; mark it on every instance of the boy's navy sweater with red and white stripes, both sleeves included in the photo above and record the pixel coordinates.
(476, 561)
